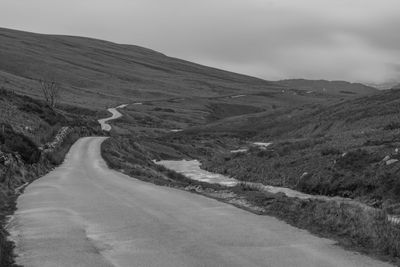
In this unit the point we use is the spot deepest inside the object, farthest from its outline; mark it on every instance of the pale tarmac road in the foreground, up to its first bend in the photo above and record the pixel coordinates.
(84, 214)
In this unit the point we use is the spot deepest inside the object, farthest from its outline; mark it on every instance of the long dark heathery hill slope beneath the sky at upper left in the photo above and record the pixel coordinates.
(99, 72)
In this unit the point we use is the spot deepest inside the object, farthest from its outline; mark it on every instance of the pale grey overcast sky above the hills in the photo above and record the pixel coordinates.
(355, 40)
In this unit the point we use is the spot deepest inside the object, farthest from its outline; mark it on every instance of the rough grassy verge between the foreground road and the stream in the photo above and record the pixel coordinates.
(352, 226)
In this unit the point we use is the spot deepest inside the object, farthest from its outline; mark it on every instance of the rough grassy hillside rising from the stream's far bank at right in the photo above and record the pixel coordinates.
(336, 150)
